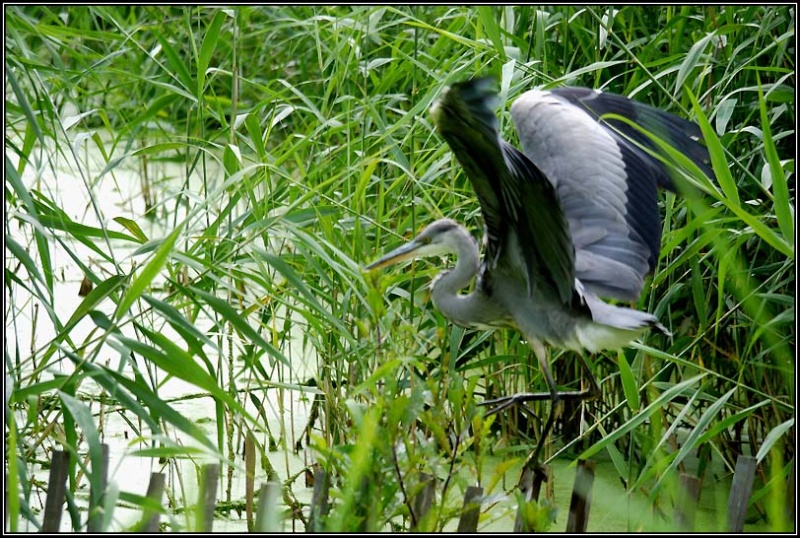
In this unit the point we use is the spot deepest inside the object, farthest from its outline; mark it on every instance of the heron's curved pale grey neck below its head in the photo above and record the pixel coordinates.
(446, 286)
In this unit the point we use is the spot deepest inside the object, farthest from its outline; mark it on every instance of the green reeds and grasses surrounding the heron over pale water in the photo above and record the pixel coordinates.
(305, 150)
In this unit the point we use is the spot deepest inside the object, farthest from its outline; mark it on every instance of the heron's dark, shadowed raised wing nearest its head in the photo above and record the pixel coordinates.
(515, 197)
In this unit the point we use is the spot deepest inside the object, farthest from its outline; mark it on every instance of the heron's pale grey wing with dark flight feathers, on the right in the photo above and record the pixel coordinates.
(606, 183)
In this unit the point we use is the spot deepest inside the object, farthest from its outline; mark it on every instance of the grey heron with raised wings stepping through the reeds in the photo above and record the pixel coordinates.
(572, 218)
